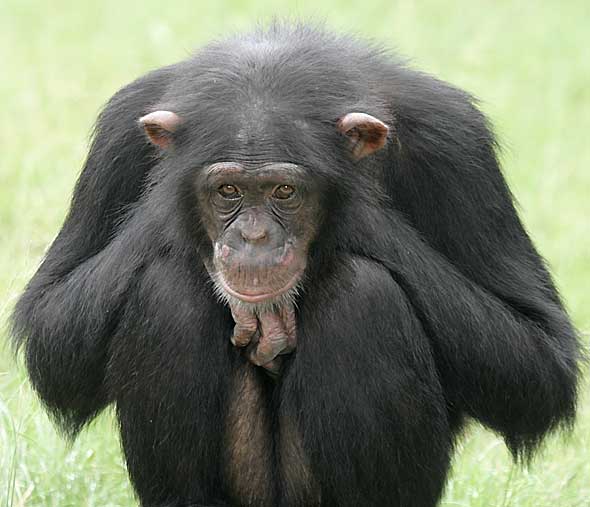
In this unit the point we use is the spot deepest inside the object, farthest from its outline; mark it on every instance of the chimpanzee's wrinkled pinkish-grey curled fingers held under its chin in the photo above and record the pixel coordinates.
(265, 335)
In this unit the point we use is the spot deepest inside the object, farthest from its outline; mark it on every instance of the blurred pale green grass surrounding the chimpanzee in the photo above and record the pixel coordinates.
(530, 63)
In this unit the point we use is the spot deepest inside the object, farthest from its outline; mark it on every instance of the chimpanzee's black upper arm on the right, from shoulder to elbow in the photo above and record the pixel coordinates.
(446, 180)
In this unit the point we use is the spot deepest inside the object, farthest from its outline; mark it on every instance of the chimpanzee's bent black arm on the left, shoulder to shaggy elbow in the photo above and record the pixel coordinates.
(69, 308)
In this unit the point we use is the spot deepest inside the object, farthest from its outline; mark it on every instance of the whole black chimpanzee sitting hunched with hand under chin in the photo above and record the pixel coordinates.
(294, 267)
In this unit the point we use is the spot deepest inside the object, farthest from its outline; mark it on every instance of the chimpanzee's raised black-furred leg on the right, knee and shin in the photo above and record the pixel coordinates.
(365, 393)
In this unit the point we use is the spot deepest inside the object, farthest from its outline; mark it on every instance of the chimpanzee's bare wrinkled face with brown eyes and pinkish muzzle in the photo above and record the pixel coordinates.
(261, 220)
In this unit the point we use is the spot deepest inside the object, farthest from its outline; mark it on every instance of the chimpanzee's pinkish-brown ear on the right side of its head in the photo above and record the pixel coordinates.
(367, 134)
